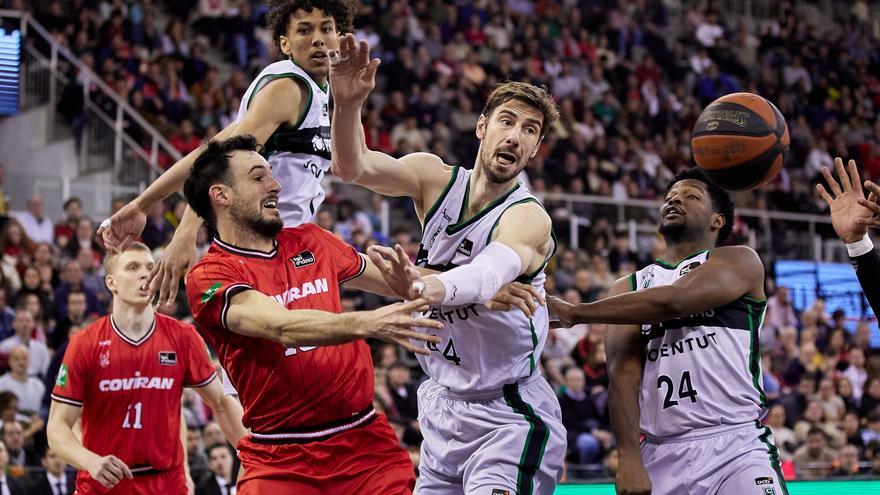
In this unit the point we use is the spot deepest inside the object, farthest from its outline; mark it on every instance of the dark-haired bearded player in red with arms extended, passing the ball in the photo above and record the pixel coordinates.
(304, 377)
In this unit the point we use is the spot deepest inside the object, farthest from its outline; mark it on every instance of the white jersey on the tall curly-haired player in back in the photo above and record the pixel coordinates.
(300, 153)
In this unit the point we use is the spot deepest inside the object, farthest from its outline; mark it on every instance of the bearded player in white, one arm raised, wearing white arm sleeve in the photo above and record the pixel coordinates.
(491, 423)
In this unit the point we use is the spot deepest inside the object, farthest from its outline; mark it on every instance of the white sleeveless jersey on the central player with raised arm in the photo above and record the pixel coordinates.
(480, 349)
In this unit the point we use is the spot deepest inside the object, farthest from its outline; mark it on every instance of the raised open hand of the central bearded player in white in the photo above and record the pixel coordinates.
(352, 72)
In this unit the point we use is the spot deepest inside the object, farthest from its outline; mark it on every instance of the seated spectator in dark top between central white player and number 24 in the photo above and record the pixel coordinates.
(586, 437)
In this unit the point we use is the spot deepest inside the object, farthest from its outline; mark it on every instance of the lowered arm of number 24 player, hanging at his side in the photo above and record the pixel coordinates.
(622, 348)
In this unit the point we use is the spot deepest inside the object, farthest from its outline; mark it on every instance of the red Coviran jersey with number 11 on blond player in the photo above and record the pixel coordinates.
(130, 391)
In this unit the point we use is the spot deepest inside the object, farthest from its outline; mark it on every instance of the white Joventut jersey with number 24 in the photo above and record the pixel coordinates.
(702, 370)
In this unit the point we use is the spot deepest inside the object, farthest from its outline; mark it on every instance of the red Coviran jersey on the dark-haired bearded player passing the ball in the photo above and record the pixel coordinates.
(284, 389)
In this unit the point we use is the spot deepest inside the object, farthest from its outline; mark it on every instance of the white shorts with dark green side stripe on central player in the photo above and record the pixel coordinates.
(503, 442)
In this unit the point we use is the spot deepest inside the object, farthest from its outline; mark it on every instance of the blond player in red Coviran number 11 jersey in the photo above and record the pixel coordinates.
(124, 376)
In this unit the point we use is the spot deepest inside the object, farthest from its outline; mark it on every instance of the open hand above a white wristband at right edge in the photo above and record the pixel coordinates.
(851, 213)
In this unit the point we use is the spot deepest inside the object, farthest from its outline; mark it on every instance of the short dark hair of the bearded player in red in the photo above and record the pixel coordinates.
(210, 168)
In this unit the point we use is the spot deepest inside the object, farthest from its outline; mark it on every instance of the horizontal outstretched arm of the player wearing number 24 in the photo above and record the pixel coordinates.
(730, 273)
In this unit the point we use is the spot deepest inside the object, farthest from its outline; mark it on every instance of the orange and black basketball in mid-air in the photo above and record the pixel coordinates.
(740, 141)
